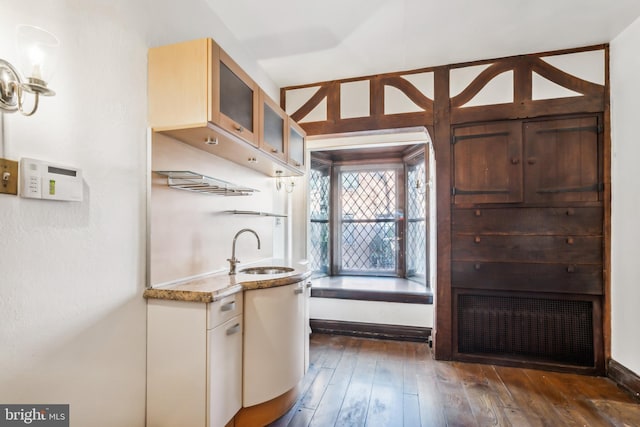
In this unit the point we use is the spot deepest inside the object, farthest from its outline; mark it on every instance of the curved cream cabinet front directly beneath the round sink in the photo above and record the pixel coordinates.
(274, 341)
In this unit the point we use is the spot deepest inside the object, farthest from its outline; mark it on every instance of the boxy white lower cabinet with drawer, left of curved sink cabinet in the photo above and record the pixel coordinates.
(194, 362)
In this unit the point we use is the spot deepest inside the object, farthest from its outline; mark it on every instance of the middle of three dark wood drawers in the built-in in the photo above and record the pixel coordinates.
(522, 248)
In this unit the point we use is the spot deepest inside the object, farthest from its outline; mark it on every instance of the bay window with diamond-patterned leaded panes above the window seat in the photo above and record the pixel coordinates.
(370, 213)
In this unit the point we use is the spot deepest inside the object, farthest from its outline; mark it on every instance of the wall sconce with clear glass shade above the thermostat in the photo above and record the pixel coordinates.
(37, 51)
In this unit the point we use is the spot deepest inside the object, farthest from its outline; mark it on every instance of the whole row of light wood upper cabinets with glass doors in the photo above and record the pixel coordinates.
(199, 95)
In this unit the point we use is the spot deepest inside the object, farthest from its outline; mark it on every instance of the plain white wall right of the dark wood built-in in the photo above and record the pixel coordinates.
(625, 276)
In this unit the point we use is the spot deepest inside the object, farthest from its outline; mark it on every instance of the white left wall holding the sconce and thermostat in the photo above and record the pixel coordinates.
(72, 316)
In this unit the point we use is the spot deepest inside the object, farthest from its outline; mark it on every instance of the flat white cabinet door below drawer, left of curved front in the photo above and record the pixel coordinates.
(225, 372)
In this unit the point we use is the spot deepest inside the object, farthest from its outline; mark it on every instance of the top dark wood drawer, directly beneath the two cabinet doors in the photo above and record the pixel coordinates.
(565, 221)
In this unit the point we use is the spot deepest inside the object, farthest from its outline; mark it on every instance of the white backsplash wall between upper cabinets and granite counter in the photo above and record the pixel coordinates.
(191, 234)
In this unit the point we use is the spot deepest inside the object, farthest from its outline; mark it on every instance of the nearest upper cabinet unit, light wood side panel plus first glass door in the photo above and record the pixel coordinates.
(196, 82)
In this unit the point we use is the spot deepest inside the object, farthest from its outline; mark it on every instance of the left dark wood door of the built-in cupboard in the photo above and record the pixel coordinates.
(487, 163)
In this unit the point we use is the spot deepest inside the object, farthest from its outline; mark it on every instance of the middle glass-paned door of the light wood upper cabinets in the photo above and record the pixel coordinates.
(273, 127)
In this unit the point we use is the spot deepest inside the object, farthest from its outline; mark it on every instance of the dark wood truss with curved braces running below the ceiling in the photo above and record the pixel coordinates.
(589, 96)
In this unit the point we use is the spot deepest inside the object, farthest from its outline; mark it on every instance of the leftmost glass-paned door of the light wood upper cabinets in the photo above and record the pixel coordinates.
(237, 98)
